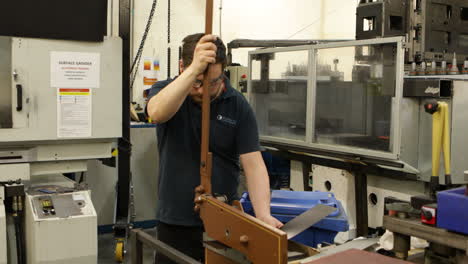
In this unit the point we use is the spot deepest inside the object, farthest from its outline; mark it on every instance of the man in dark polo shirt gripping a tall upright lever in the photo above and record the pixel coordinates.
(175, 105)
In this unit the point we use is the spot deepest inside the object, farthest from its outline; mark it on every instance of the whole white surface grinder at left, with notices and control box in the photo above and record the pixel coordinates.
(60, 106)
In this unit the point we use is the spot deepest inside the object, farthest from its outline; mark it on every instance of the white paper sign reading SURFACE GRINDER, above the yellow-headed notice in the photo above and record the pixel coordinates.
(74, 69)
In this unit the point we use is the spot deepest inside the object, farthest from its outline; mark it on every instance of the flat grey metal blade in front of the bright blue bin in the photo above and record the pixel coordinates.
(307, 219)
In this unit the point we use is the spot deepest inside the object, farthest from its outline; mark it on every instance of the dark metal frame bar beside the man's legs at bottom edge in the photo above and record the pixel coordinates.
(139, 238)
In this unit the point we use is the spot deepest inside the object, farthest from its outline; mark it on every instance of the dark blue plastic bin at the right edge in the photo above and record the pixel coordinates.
(452, 210)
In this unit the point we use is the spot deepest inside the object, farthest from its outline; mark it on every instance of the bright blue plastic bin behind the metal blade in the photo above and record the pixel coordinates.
(286, 205)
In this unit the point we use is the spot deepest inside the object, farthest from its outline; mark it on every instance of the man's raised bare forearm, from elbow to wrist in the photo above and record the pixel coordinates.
(168, 101)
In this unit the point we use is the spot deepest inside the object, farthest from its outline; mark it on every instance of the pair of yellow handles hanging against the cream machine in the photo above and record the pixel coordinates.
(440, 139)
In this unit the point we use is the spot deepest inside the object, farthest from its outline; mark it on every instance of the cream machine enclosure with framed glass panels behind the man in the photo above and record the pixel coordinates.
(351, 101)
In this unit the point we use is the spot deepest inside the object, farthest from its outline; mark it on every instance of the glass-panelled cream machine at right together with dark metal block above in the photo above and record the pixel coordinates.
(355, 100)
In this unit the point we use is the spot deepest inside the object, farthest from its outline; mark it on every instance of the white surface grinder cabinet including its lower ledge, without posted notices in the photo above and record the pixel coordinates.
(33, 135)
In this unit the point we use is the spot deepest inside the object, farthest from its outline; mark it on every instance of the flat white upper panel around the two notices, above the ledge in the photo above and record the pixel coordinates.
(30, 59)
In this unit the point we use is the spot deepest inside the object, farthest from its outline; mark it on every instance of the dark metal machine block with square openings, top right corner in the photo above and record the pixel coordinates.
(435, 28)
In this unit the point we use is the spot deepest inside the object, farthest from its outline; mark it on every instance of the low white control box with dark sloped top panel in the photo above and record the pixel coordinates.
(68, 237)
